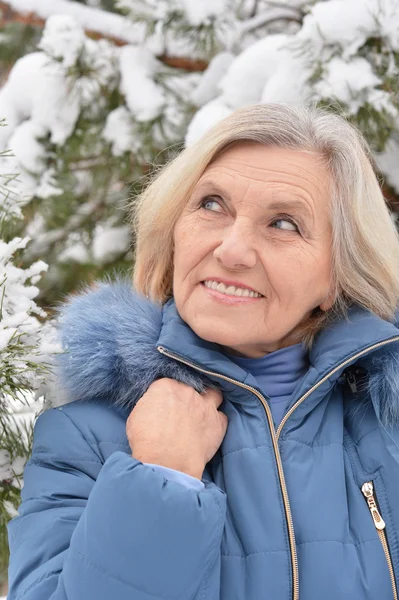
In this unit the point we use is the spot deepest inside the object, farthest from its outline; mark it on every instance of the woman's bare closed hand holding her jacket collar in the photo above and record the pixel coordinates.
(175, 426)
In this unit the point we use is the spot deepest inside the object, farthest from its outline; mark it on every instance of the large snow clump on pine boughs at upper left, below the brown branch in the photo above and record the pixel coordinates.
(42, 102)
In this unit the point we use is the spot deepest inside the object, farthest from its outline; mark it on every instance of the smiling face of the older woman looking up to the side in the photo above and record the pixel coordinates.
(258, 218)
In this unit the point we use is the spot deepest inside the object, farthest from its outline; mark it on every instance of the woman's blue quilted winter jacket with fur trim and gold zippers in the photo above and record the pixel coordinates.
(310, 510)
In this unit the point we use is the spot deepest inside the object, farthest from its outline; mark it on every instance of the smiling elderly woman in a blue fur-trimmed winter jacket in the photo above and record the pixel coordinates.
(231, 430)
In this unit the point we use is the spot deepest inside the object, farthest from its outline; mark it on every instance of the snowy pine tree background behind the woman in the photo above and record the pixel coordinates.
(95, 94)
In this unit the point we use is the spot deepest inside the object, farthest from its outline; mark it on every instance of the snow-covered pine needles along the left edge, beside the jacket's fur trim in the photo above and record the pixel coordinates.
(27, 346)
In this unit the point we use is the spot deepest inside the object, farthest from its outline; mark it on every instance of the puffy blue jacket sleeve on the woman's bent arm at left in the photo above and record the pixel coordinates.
(88, 530)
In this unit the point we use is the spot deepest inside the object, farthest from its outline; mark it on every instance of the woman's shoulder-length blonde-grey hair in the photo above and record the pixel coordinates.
(365, 244)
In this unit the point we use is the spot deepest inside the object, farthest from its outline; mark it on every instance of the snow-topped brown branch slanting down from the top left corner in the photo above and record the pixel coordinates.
(98, 24)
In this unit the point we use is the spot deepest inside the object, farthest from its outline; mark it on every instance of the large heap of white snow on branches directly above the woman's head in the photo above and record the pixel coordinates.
(280, 67)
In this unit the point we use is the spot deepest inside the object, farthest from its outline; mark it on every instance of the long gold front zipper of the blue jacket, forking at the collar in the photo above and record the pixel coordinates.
(276, 434)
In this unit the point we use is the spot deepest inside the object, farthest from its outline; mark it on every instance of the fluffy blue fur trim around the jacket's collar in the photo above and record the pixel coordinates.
(109, 335)
